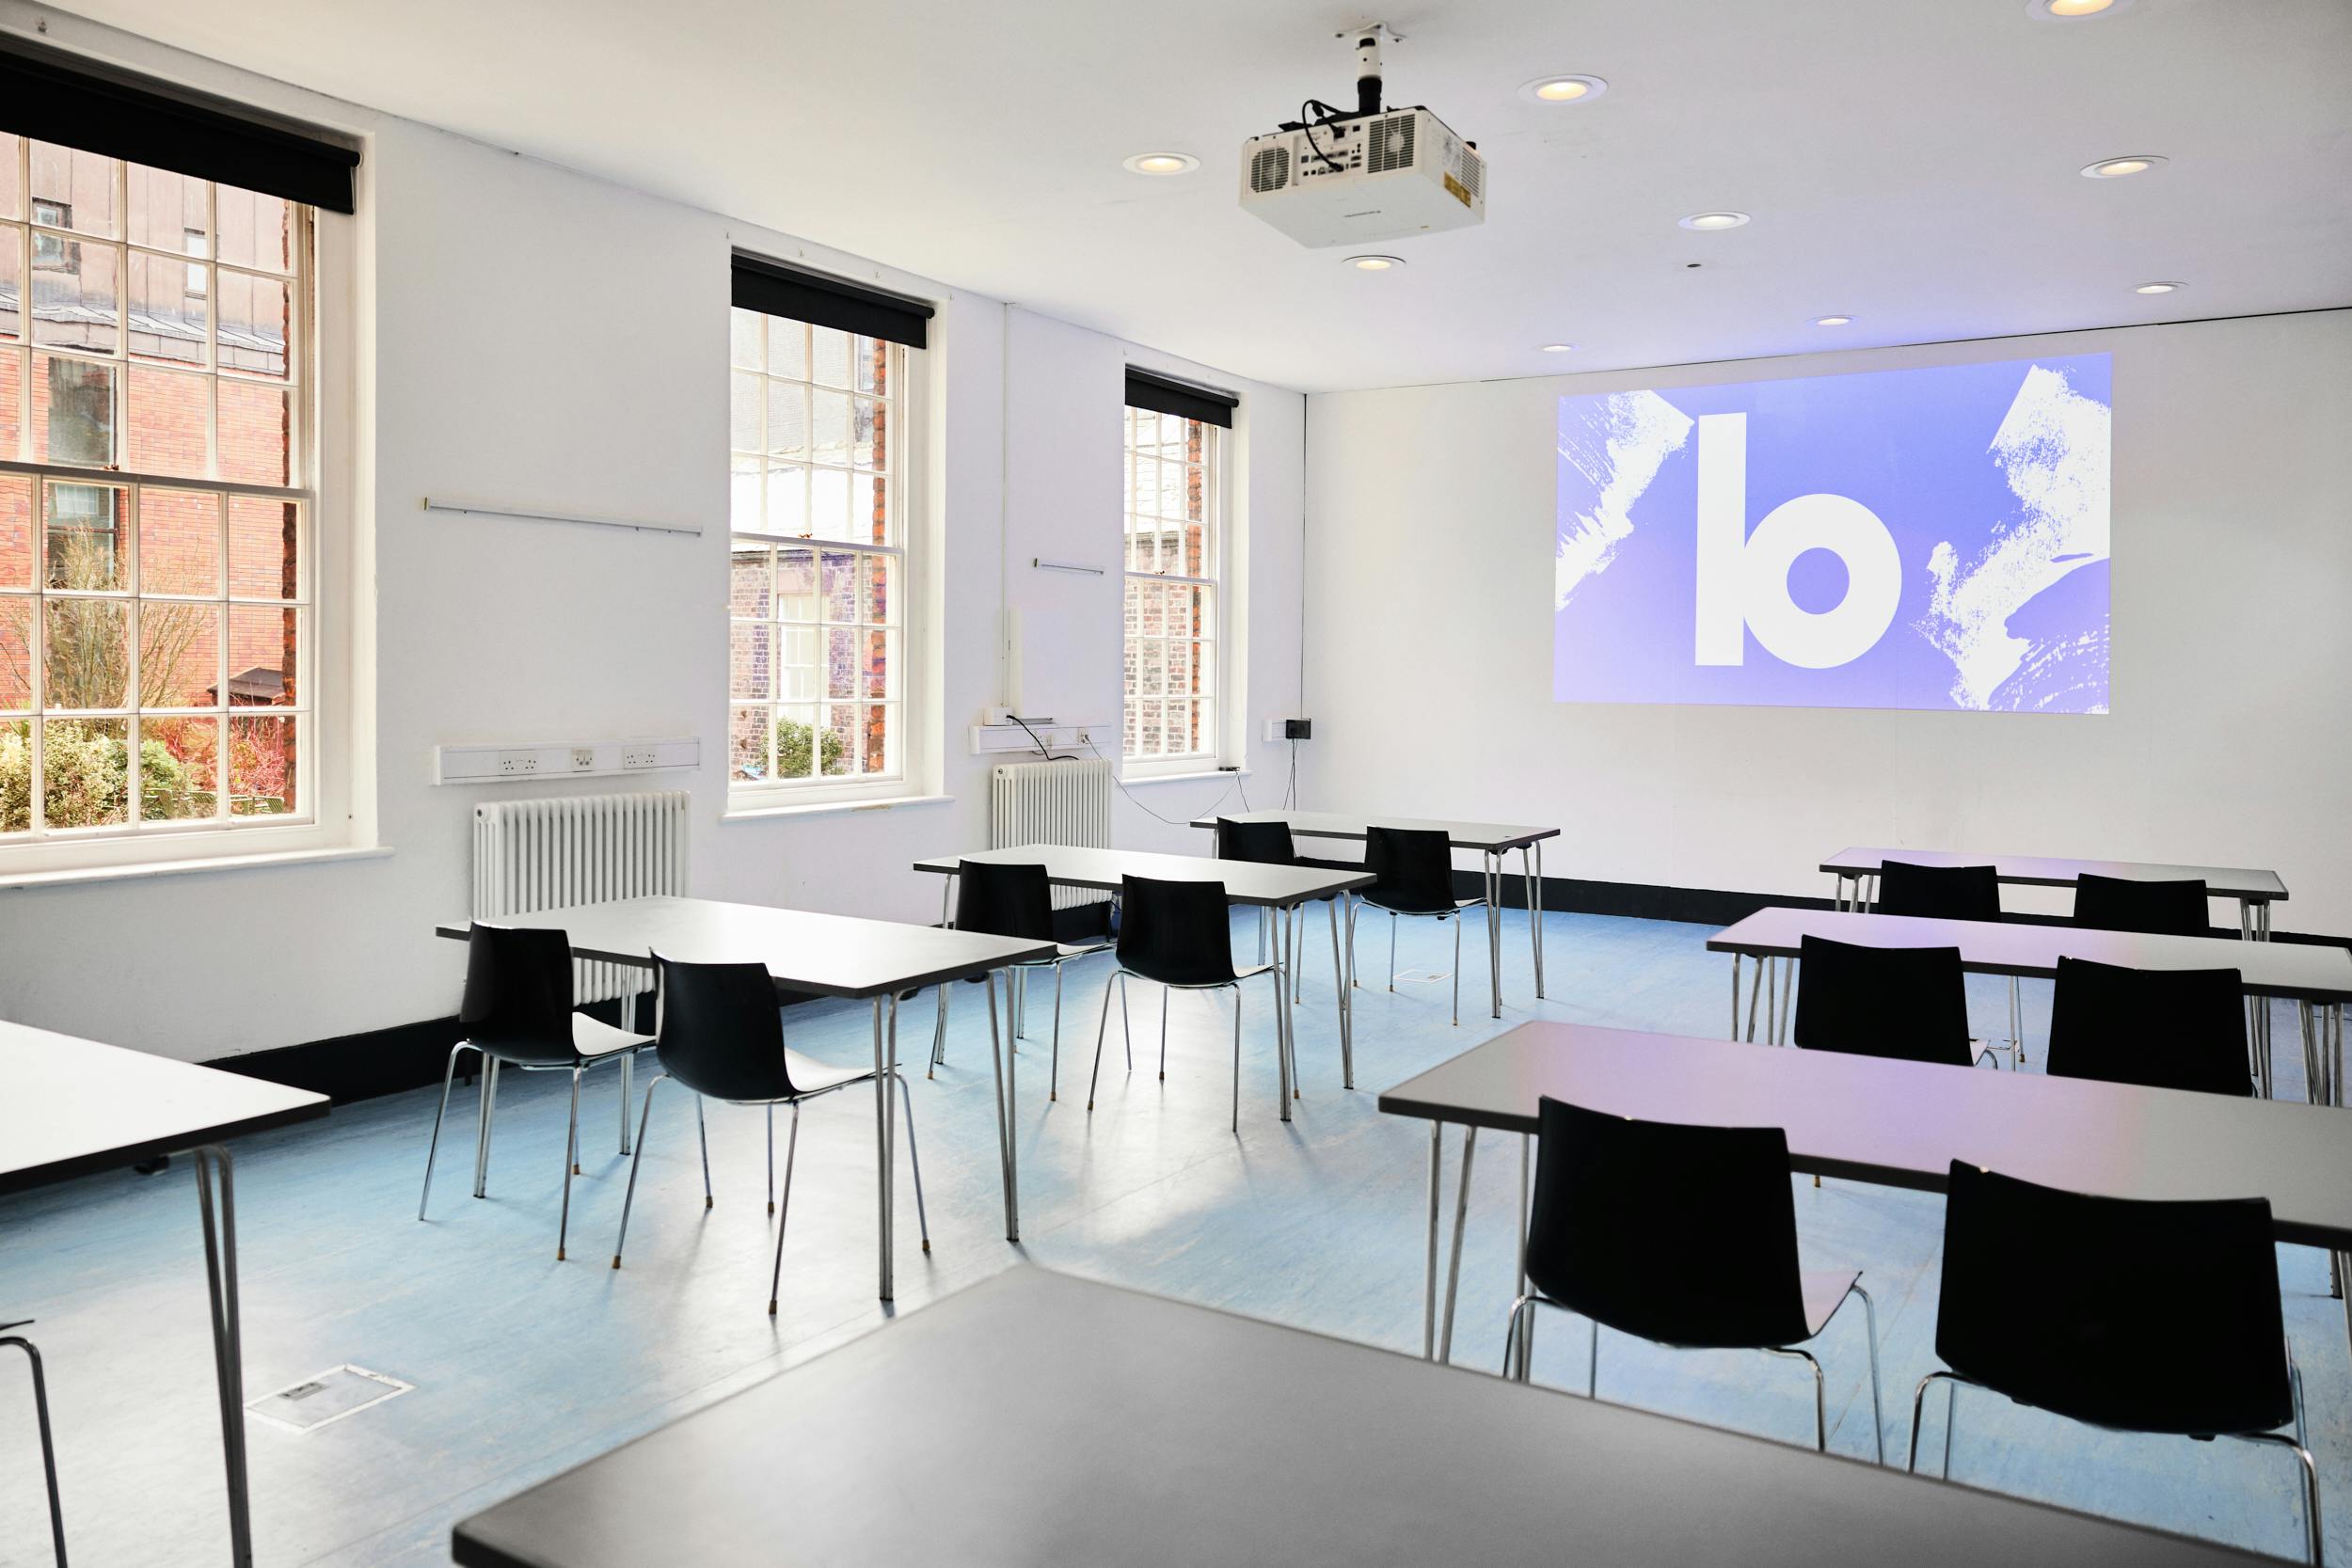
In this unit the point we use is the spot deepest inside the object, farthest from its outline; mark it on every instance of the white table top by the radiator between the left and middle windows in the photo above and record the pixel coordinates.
(827, 956)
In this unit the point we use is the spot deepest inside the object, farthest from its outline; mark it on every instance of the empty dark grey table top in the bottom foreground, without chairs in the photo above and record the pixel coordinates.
(1041, 1419)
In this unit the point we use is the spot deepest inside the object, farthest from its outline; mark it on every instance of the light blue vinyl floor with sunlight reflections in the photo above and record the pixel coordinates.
(526, 1365)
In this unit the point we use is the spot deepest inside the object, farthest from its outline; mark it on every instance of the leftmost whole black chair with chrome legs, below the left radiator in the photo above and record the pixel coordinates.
(519, 1014)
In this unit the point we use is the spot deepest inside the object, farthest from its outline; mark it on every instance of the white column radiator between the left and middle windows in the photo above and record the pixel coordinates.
(544, 855)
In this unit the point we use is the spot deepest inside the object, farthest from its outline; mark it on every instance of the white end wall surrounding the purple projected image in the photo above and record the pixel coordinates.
(1429, 666)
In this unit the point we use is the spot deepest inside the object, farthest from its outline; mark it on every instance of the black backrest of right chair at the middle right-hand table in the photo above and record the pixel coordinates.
(2167, 1028)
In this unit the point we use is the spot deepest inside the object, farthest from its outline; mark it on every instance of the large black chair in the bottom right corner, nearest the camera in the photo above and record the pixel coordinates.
(2149, 1318)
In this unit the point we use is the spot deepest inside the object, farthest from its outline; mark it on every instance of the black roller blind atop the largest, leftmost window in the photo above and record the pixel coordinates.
(55, 98)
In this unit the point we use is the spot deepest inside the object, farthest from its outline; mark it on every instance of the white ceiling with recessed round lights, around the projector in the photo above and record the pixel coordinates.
(1911, 163)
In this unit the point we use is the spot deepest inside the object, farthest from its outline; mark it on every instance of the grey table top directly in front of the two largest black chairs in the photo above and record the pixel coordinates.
(1902, 1125)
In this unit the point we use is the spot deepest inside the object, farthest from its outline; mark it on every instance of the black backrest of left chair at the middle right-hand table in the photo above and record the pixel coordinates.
(1899, 1003)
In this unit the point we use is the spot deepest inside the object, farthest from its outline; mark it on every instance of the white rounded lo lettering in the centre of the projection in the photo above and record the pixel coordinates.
(1744, 577)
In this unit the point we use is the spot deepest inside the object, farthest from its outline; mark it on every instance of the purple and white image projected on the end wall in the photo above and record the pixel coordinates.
(1897, 540)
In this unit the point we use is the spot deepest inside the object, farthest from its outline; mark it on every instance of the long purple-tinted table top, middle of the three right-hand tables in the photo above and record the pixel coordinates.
(2306, 972)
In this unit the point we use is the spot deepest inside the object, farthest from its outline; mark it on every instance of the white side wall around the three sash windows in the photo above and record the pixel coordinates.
(544, 340)
